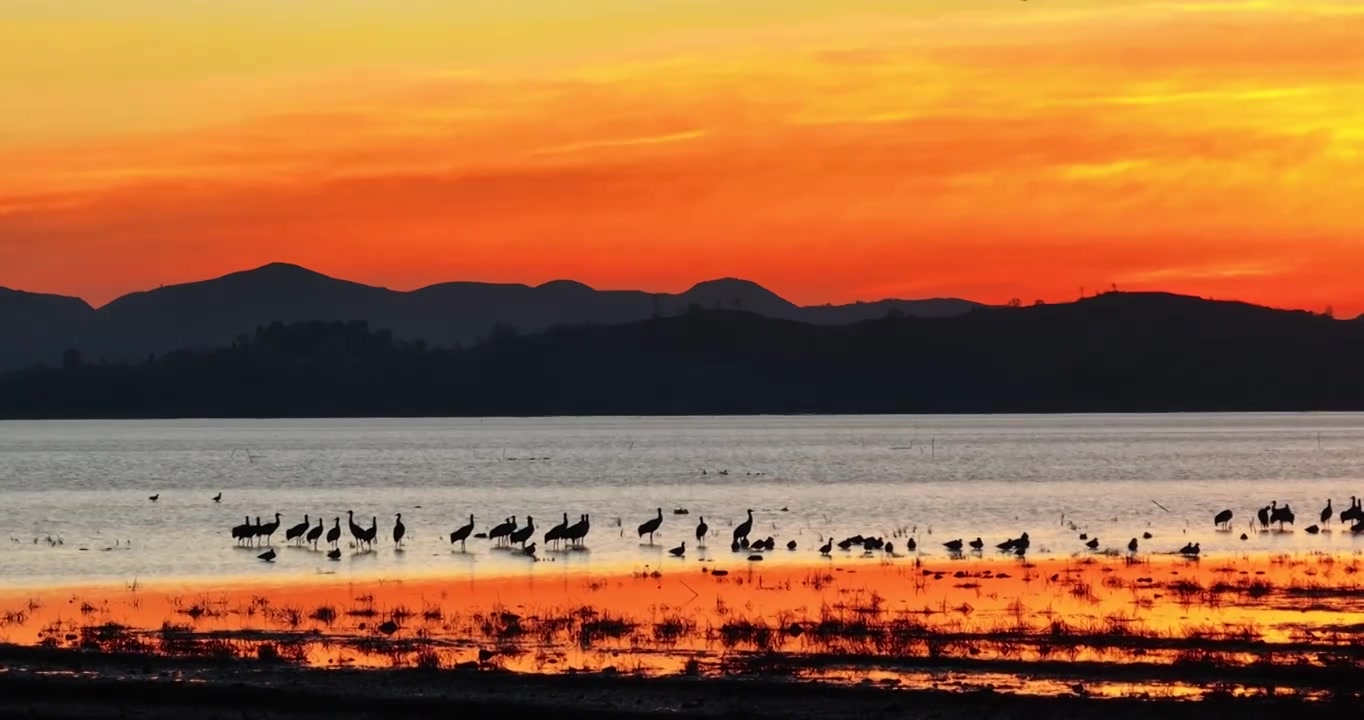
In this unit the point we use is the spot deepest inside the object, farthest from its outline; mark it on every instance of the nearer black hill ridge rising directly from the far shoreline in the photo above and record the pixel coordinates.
(1111, 354)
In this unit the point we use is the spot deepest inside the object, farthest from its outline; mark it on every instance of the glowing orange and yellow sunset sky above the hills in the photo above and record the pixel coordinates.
(833, 151)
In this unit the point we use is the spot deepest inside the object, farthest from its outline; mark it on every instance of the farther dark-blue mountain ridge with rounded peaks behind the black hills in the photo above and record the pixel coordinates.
(209, 314)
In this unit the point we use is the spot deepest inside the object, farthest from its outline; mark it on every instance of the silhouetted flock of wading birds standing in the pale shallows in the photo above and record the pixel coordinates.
(512, 535)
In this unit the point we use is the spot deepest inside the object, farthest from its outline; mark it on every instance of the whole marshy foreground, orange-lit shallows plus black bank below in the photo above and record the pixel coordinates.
(908, 637)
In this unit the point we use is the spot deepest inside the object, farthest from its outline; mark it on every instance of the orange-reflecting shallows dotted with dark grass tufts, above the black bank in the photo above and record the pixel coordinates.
(954, 624)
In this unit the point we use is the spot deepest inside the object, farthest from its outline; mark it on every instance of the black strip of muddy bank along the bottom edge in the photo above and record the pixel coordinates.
(48, 684)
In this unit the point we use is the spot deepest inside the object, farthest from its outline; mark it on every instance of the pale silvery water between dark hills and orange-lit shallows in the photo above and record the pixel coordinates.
(85, 486)
